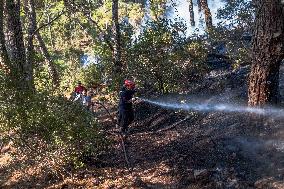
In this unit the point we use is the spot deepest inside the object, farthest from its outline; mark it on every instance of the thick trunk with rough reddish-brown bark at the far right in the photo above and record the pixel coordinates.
(268, 52)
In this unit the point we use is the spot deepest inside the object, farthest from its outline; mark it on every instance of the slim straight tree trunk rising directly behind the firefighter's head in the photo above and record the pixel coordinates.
(117, 39)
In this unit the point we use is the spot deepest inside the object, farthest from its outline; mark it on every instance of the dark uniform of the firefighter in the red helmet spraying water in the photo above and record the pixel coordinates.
(126, 113)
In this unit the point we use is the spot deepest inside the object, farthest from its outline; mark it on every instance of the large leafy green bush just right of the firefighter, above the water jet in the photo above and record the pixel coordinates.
(161, 55)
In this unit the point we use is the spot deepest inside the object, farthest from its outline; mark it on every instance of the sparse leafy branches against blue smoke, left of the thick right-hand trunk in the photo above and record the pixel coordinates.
(234, 32)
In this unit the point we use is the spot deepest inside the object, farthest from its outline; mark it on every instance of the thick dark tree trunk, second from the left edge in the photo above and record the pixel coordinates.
(20, 68)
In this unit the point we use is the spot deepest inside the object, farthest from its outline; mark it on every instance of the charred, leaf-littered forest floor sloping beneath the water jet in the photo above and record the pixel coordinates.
(185, 149)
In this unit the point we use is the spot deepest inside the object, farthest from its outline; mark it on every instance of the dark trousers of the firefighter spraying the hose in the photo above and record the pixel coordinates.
(125, 119)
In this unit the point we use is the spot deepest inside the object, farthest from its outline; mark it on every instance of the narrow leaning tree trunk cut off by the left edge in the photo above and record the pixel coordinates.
(4, 58)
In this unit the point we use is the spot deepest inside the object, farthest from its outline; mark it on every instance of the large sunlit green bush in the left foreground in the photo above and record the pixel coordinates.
(50, 127)
